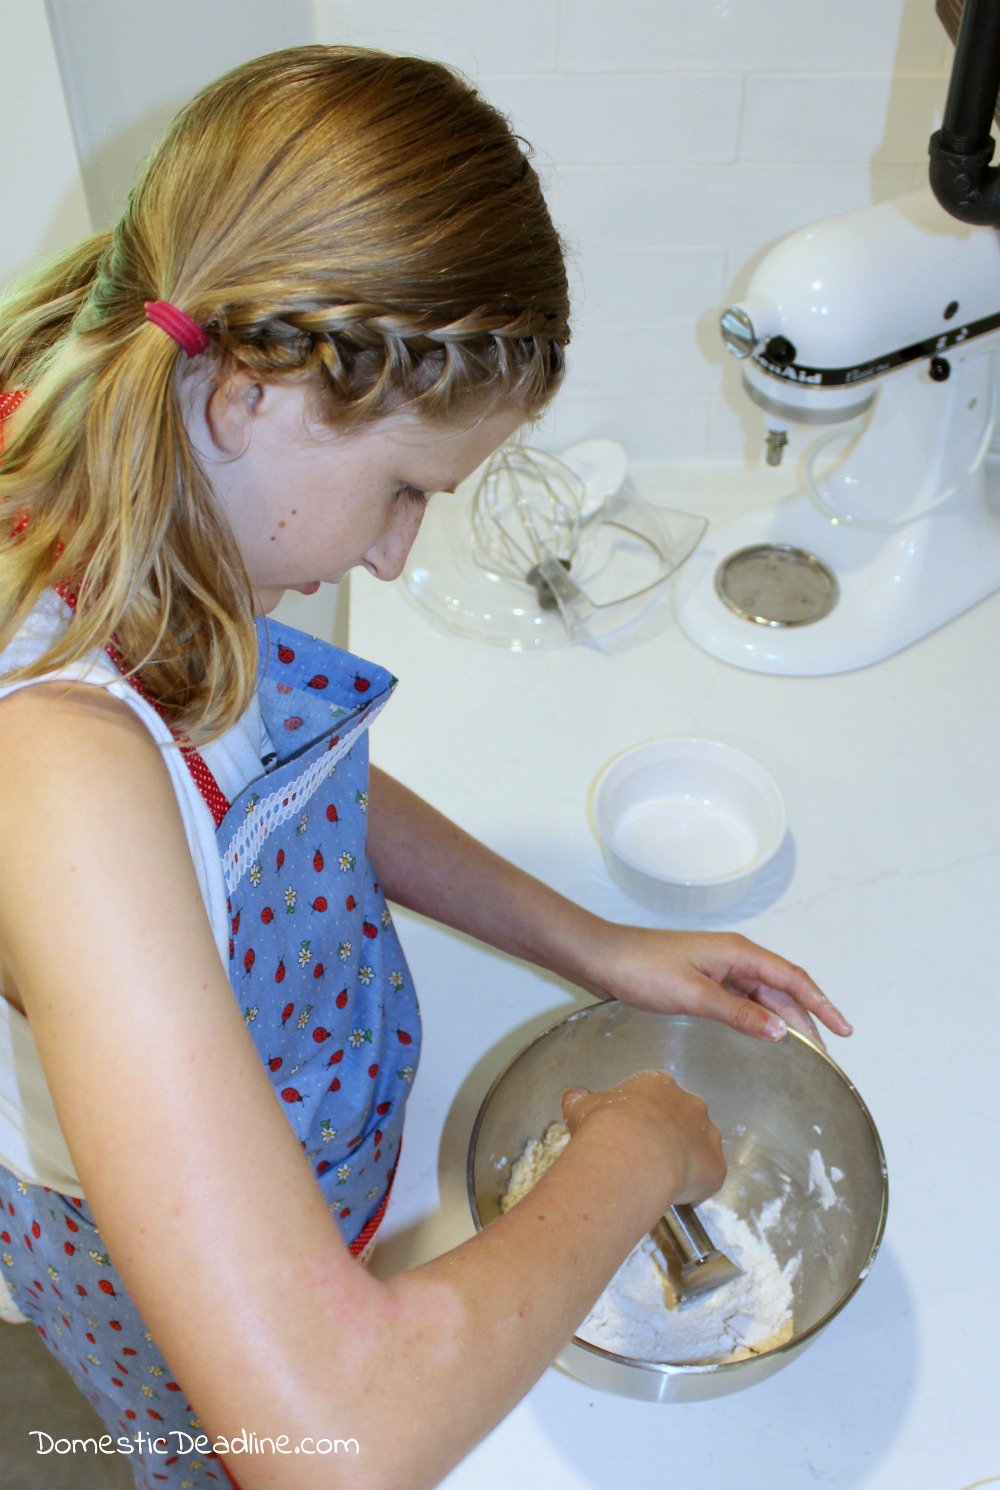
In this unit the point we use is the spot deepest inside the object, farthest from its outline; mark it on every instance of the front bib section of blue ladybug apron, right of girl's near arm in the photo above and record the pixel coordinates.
(315, 960)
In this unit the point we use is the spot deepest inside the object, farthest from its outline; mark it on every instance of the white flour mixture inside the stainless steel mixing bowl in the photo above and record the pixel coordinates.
(744, 1318)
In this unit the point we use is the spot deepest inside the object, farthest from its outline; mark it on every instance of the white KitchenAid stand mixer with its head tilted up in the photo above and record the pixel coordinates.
(886, 324)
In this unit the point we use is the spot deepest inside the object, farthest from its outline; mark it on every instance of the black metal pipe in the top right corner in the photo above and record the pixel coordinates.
(961, 153)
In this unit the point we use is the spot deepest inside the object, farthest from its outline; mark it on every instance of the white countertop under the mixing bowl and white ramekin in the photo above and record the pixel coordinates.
(889, 895)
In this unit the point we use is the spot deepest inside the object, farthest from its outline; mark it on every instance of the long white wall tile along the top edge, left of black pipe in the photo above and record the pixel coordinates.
(749, 37)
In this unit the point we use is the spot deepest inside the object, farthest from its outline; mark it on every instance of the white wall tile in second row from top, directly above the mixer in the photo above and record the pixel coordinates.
(831, 118)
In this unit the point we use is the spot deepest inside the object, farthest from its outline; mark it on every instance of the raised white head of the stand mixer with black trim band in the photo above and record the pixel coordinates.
(838, 308)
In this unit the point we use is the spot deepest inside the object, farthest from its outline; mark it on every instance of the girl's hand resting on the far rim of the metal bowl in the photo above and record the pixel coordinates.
(718, 975)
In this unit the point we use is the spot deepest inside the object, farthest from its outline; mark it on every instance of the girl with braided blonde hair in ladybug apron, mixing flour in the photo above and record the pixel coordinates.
(335, 291)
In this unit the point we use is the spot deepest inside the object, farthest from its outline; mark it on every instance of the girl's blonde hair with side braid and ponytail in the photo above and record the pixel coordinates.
(358, 221)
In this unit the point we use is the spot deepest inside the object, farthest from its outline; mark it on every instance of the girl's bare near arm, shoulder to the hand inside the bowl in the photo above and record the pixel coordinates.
(199, 1185)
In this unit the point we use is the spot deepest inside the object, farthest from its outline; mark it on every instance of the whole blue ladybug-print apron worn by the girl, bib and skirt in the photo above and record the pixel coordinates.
(327, 996)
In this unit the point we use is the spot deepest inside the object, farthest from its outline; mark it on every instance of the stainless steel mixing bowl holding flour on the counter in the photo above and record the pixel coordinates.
(791, 1121)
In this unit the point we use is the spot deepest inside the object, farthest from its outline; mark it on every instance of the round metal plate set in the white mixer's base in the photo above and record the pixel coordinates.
(777, 585)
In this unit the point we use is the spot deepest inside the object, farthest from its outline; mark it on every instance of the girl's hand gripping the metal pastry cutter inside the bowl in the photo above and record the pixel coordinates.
(670, 1135)
